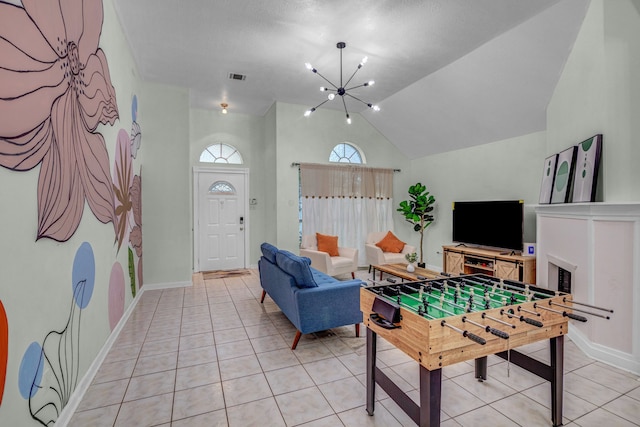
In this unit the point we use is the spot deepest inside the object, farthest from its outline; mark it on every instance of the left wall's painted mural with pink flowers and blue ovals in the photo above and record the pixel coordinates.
(58, 109)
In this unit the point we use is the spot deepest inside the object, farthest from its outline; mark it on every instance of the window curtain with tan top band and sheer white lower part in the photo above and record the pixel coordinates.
(346, 201)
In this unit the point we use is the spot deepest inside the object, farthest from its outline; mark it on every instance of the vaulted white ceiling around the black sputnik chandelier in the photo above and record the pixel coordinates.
(448, 74)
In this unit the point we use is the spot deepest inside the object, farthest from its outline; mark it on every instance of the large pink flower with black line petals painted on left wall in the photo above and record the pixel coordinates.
(55, 89)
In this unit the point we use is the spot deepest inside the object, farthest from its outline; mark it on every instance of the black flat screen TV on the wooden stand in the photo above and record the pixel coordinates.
(495, 223)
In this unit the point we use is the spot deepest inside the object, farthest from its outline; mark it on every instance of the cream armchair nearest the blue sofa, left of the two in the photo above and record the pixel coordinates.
(346, 262)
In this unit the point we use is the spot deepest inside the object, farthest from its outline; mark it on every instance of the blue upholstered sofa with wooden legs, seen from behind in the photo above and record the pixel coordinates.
(311, 300)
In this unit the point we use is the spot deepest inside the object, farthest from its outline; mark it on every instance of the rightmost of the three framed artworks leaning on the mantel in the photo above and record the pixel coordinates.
(587, 169)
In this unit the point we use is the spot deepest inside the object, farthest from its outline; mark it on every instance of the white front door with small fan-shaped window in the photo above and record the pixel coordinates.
(221, 220)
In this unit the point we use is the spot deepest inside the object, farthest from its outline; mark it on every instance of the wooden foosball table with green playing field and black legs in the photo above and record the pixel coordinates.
(443, 321)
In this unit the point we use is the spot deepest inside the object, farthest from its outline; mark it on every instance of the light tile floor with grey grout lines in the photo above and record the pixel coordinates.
(212, 355)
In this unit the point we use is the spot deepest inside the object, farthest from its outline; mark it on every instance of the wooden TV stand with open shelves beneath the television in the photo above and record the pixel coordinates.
(458, 260)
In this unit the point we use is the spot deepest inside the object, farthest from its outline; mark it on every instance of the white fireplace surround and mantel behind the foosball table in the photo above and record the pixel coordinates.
(600, 242)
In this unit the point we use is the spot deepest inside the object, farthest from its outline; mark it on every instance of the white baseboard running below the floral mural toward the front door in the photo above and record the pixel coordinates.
(83, 385)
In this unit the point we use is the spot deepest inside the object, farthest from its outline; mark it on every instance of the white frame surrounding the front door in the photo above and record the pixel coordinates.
(197, 170)
